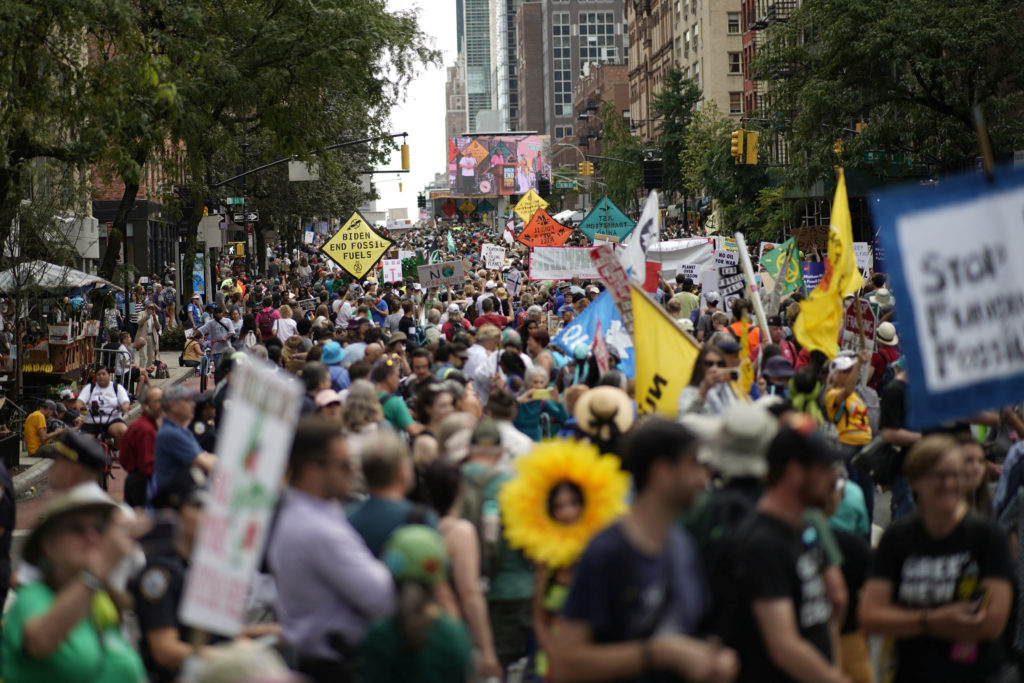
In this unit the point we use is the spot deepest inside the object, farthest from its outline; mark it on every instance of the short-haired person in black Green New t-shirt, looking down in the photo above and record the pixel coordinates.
(941, 585)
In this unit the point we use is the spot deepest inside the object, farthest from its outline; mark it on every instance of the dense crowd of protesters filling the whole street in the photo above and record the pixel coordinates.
(749, 546)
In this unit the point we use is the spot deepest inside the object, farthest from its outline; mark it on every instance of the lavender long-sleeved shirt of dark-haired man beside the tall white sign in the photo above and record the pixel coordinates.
(328, 581)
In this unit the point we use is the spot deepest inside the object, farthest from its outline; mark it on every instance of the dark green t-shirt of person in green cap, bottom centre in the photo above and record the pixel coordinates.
(446, 657)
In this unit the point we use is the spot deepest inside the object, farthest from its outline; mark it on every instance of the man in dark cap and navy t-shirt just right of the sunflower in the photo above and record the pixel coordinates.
(638, 595)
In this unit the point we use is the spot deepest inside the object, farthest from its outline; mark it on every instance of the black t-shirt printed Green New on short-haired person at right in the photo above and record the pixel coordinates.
(930, 573)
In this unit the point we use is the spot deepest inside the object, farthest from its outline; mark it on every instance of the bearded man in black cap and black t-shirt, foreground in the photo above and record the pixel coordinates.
(784, 623)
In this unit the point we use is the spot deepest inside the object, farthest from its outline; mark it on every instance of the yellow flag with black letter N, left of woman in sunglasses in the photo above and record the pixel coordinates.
(665, 357)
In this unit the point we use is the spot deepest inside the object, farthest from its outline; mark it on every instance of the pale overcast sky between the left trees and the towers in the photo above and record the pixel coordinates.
(422, 114)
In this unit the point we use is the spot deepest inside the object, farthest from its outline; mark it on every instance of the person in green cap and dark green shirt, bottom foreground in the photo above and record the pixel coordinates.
(421, 643)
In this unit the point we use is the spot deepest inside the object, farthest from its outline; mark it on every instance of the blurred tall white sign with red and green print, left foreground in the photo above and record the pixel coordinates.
(252, 454)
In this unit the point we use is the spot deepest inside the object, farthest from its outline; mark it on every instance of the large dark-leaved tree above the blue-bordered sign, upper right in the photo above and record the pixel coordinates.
(912, 70)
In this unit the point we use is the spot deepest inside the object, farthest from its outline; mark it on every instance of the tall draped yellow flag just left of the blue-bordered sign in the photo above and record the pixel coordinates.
(822, 315)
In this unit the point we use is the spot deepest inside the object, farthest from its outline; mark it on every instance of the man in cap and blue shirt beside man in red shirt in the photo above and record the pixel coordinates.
(176, 449)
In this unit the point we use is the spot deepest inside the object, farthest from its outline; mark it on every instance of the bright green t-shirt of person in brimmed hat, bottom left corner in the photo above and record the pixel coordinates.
(88, 656)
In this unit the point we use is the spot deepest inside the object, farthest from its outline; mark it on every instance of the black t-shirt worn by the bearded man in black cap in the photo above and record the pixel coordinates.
(778, 562)
